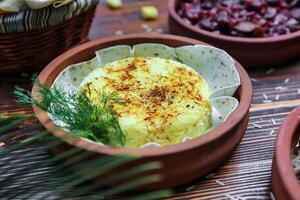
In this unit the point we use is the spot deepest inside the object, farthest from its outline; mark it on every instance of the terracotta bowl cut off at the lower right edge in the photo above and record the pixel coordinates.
(285, 184)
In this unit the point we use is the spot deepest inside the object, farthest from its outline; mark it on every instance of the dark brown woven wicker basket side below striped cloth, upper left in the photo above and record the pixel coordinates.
(31, 50)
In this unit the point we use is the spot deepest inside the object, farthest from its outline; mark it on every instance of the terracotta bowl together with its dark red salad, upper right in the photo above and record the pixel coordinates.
(258, 33)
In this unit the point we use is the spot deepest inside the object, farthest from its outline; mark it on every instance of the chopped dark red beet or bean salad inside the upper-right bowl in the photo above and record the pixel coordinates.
(248, 18)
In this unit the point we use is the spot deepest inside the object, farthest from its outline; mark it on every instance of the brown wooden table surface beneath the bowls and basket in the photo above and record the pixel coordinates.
(247, 173)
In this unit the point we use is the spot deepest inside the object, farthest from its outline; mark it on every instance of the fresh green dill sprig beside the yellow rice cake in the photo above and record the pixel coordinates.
(93, 120)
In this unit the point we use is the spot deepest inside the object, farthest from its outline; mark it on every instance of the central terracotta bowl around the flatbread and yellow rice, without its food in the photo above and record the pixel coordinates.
(182, 162)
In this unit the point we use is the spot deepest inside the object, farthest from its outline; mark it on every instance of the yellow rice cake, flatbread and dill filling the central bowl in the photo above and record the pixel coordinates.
(157, 95)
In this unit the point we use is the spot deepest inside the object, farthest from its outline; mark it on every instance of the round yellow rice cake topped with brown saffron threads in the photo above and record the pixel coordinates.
(164, 101)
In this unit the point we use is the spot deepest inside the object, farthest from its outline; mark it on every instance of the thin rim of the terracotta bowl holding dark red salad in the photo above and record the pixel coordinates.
(178, 19)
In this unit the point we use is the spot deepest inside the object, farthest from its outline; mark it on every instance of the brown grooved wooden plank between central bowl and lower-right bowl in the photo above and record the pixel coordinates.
(247, 173)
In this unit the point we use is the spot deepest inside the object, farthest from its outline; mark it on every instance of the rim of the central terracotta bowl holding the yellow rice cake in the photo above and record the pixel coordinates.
(233, 120)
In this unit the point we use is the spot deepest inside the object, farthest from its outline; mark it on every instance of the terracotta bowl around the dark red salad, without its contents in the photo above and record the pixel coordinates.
(251, 52)
